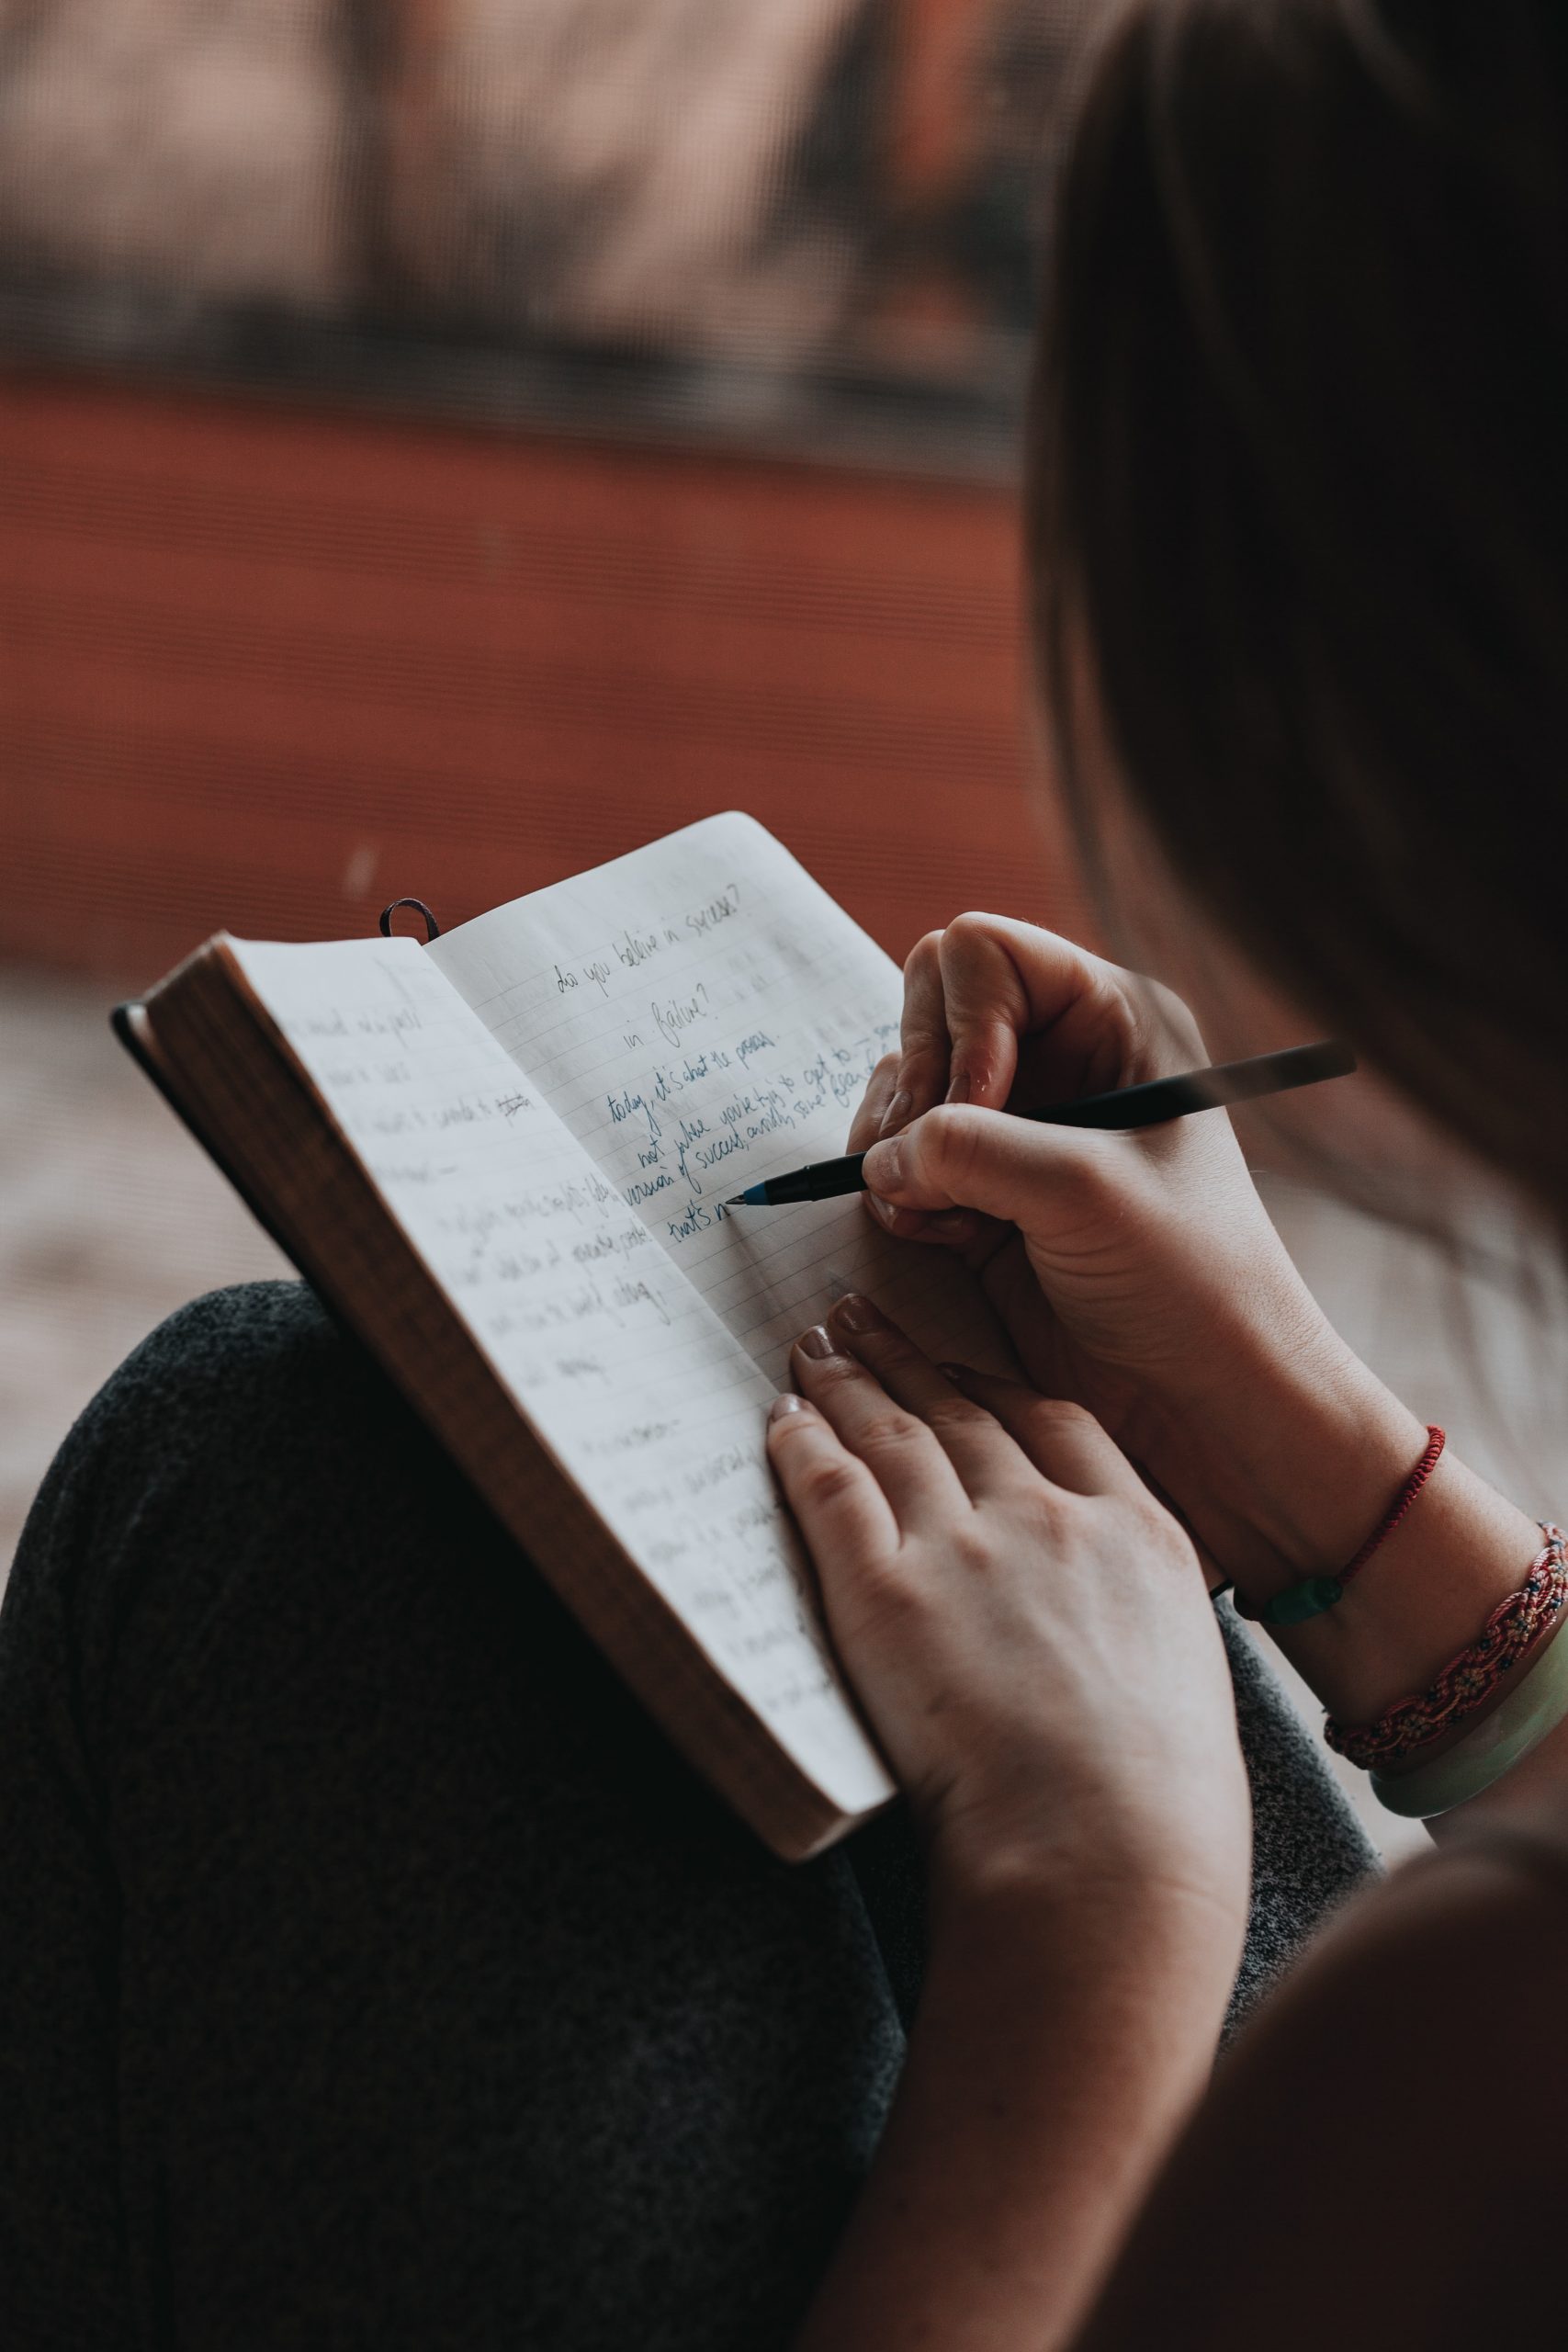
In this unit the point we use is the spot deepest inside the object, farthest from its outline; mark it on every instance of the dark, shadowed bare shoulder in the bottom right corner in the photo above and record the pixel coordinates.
(1369, 2156)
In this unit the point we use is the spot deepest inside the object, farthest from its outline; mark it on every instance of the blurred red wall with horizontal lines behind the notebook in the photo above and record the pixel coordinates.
(264, 669)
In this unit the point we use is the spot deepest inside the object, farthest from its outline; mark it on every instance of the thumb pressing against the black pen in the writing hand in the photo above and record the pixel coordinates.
(989, 1161)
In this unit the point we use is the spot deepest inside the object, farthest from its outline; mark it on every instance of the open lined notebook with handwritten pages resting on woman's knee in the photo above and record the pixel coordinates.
(504, 1156)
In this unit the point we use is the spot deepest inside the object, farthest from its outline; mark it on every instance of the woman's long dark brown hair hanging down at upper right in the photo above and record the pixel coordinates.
(1301, 490)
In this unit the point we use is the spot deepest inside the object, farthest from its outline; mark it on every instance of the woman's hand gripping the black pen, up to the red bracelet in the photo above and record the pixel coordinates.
(1137, 1274)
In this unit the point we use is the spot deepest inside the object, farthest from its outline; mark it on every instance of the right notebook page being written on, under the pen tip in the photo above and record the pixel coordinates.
(704, 1015)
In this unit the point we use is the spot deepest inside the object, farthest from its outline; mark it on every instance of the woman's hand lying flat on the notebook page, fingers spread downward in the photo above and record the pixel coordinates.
(1024, 1624)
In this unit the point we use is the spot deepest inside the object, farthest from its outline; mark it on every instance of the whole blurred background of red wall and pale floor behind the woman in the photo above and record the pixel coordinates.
(445, 443)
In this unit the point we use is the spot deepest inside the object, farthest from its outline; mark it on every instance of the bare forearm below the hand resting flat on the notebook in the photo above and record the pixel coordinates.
(1061, 2043)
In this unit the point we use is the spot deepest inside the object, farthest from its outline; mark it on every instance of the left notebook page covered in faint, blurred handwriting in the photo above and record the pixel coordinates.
(626, 1375)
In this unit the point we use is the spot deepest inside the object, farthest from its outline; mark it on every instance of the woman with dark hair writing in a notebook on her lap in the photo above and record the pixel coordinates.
(370, 1975)
